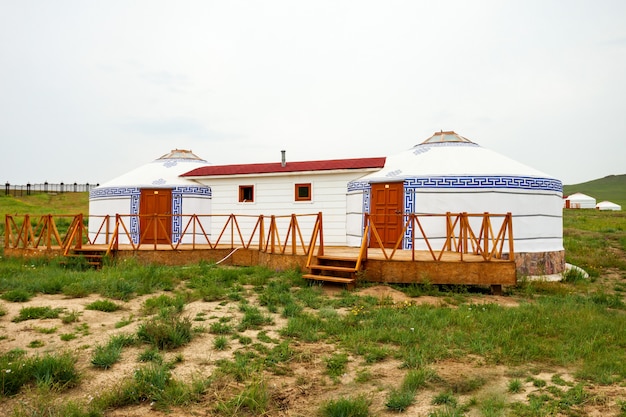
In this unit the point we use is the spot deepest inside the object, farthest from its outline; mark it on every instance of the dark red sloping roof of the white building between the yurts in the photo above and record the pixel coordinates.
(276, 167)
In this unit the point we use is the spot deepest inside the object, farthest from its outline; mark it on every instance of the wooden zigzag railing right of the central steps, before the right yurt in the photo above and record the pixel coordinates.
(460, 237)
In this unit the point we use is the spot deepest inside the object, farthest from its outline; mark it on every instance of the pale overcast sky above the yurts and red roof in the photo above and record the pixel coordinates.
(90, 90)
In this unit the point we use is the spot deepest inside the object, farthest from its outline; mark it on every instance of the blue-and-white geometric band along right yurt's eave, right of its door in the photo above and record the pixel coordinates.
(510, 182)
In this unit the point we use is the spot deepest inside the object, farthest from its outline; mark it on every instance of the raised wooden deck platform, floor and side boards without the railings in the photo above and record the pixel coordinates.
(406, 266)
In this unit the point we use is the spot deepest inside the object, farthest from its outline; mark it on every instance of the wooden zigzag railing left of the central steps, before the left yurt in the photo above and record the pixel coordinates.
(266, 236)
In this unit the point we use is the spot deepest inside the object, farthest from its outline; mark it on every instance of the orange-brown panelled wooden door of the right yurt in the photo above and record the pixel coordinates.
(387, 204)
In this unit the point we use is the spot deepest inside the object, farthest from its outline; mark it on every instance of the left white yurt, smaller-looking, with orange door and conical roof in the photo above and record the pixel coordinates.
(152, 201)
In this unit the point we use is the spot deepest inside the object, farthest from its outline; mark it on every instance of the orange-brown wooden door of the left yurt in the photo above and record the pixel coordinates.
(155, 220)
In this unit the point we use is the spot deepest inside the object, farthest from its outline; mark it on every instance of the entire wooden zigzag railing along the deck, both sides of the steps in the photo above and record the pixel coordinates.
(462, 235)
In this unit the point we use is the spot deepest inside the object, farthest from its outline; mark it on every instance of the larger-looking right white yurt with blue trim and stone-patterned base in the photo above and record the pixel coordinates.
(450, 173)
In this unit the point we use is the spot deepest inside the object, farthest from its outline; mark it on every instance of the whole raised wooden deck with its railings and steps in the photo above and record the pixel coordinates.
(471, 254)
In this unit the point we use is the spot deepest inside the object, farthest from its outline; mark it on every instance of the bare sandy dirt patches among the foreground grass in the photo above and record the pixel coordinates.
(299, 393)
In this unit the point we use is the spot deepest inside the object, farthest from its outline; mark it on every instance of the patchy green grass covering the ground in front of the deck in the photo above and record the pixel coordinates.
(578, 324)
